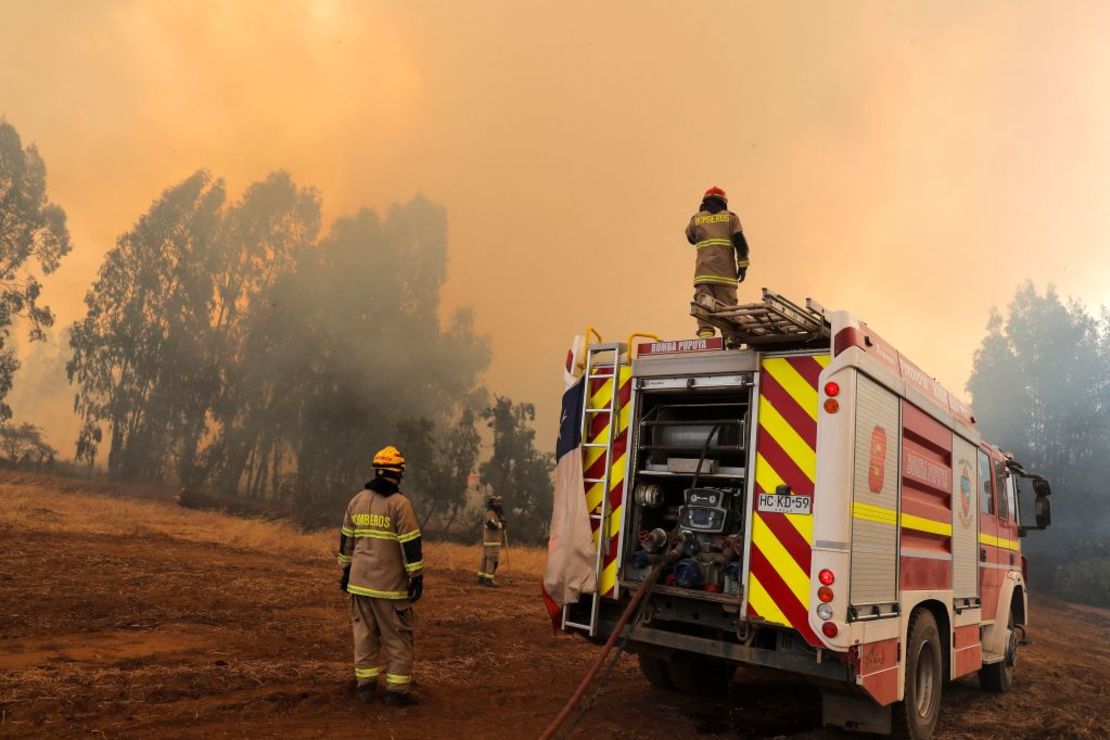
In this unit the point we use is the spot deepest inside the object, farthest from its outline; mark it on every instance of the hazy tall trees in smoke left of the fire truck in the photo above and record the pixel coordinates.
(237, 347)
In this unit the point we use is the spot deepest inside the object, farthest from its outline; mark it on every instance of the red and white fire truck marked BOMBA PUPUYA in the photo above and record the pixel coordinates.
(815, 503)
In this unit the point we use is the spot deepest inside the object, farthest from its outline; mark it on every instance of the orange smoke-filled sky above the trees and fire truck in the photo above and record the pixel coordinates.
(911, 163)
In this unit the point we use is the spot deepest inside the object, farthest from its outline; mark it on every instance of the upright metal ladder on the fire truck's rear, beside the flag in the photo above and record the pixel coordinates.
(608, 369)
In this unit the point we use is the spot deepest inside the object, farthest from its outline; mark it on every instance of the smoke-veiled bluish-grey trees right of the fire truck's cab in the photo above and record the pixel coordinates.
(1041, 388)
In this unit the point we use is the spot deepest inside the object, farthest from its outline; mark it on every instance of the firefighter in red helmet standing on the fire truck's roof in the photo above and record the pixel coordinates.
(722, 261)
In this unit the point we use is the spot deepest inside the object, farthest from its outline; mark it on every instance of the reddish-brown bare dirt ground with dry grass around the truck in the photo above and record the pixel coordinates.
(139, 619)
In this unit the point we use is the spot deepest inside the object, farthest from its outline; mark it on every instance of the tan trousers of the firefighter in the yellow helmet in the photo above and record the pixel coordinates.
(384, 641)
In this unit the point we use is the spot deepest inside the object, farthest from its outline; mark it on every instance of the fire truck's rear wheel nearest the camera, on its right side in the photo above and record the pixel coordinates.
(916, 716)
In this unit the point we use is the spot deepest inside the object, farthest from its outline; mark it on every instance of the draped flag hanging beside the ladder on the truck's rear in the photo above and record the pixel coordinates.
(571, 554)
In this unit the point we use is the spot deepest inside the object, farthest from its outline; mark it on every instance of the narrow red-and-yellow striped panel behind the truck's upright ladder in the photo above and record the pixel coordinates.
(596, 463)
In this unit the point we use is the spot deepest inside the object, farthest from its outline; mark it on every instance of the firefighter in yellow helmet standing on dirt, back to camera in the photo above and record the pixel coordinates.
(380, 551)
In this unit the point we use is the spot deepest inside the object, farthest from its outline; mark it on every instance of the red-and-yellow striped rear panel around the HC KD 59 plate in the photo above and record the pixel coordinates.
(786, 453)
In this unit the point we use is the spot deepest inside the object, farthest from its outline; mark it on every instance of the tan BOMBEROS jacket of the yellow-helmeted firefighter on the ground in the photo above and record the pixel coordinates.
(381, 542)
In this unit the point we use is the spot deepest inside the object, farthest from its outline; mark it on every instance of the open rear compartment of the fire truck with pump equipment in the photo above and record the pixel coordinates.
(689, 490)
